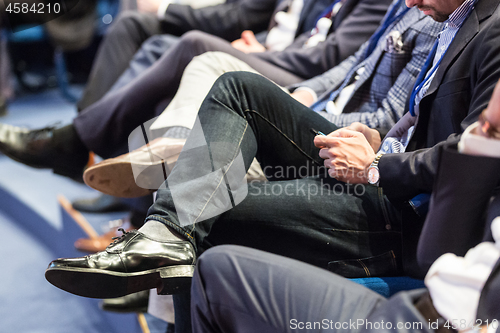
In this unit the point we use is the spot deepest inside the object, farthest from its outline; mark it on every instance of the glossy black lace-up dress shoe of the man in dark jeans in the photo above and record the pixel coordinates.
(132, 263)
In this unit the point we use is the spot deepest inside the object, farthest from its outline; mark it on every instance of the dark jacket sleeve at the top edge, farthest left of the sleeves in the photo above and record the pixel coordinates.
(226, 20)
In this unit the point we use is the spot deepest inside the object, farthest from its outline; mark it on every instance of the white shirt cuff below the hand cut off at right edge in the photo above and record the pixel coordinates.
(474, 144)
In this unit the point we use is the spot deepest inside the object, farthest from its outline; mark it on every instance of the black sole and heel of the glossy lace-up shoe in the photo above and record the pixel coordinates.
(96, 283)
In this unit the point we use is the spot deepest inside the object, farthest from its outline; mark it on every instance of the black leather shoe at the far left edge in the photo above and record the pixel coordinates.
(38, 149)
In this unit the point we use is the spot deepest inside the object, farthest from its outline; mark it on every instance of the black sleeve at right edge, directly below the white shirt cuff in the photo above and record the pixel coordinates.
(456, 220)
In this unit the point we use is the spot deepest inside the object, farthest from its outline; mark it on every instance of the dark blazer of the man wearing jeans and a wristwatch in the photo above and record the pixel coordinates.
(460, 90)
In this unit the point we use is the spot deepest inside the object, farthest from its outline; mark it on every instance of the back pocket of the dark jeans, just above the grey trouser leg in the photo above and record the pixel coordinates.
(380, 265)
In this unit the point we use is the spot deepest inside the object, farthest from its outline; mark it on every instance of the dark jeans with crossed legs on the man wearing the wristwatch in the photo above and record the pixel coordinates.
(301, 213)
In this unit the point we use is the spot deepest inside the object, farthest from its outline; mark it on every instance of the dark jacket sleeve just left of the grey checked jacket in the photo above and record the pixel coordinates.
(359, 24)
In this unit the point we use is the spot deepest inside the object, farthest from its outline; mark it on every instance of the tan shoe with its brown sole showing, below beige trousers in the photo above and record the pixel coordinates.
(137, 173)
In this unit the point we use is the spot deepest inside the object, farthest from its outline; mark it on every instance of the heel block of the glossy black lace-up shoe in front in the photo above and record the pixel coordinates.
(175, 279)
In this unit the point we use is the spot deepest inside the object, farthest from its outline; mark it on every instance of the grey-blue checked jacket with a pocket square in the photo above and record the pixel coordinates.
(389, 73)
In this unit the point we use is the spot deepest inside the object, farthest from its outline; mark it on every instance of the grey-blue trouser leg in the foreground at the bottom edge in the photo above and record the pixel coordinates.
(237, 289)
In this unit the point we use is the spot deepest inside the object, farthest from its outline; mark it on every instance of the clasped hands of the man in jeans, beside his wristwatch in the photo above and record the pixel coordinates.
(347, 155)
